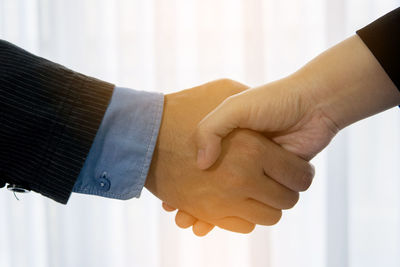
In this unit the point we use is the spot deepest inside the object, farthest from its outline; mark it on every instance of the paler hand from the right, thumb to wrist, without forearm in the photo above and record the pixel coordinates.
(279, 110)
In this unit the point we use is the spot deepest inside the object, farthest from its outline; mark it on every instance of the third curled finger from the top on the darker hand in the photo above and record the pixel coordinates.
(258, 213)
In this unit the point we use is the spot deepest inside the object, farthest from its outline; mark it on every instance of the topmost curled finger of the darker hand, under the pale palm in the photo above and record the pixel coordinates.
(287, 168)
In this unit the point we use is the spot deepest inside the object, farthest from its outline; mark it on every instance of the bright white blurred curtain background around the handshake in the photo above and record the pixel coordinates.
(349, 217)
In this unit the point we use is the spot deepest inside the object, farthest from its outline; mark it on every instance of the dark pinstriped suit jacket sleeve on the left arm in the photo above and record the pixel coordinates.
(49, 116)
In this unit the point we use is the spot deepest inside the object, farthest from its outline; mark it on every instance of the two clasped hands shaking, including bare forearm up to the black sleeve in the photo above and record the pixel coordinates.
(235, 157)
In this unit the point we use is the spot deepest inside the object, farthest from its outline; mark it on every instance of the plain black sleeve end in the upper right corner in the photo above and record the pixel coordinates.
(383, 39)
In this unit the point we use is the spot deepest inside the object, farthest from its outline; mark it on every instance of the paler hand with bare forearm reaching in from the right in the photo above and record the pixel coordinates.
(305, 110)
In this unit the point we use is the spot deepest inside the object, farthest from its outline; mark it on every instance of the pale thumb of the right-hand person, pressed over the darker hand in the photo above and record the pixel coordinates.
(215, 126)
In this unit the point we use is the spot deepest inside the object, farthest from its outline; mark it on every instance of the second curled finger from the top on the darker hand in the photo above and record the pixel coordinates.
(272, 193)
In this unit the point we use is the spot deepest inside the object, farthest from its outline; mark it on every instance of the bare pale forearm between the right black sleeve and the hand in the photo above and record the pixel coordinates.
(346, 83)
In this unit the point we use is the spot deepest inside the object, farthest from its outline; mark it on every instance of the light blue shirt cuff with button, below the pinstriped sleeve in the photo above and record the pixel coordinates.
(120, 156)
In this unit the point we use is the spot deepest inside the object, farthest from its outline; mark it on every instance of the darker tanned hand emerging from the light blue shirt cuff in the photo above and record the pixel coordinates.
(246, 185)
